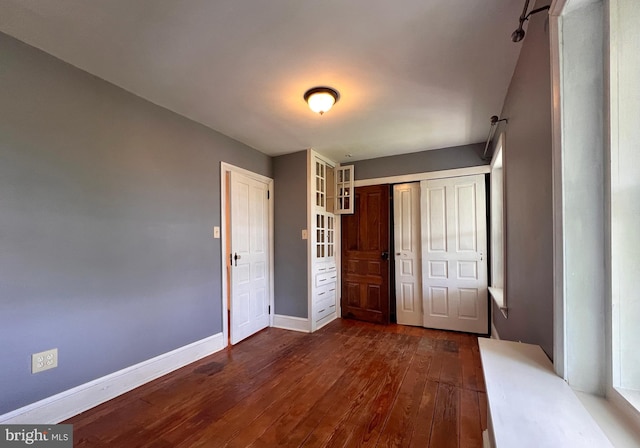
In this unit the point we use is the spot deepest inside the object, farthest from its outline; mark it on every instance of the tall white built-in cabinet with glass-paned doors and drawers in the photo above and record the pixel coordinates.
(330, 194)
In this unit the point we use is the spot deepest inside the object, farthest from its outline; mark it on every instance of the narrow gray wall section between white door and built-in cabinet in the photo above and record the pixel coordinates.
(290, 257)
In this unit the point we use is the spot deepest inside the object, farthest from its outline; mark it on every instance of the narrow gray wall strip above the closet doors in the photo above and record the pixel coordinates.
(421, 162)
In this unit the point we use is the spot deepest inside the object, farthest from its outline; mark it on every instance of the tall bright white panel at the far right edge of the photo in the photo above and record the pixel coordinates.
(625, 191)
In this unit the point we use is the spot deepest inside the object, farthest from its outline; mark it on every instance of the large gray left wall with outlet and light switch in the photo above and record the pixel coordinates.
(107, 206)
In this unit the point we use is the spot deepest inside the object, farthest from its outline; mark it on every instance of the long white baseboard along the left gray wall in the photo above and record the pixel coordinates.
(71, 402)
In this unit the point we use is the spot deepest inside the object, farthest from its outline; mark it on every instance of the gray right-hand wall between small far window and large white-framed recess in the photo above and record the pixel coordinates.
(527, 163)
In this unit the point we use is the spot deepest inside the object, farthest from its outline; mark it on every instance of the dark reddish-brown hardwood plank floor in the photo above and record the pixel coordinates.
(349, 384)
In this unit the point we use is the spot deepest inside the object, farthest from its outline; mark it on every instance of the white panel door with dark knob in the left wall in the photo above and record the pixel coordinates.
(249, 257)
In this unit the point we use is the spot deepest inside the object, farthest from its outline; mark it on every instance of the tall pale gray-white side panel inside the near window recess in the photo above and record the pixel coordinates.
(582, 190)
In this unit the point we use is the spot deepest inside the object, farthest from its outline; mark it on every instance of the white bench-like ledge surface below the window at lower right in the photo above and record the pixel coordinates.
(531, 406)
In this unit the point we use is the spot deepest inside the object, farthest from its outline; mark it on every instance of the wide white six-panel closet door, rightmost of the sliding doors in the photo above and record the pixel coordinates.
(454, 246)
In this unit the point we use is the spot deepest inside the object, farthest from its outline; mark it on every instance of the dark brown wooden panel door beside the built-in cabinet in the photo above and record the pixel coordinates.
(365, 256)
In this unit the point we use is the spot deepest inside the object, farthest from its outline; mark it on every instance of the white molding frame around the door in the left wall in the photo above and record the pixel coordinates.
(224, 169)
